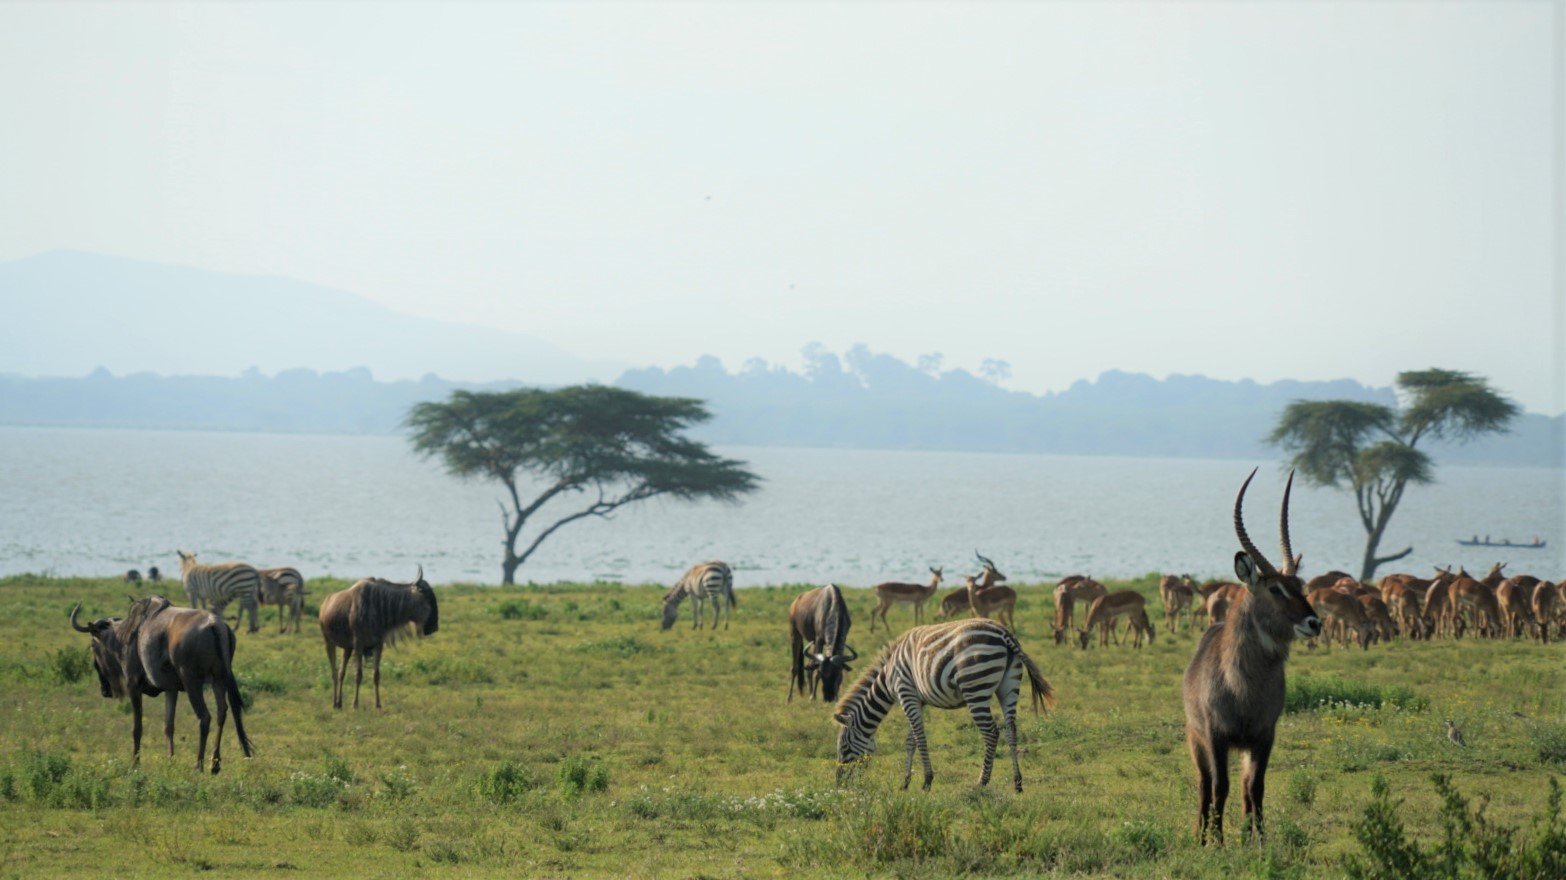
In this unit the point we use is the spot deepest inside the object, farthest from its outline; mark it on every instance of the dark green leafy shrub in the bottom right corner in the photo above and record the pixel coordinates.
(1470, 843)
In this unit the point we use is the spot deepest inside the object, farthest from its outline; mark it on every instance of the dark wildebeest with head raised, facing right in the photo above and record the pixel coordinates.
(369, 616)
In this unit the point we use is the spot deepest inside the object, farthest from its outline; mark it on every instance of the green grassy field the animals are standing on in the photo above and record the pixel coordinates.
(557, 732)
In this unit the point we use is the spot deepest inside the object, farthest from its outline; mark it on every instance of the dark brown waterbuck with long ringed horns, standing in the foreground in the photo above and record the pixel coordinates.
(1235, 685)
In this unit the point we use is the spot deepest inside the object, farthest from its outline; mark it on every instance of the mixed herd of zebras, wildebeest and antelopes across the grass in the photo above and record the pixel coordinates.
(1233, 688)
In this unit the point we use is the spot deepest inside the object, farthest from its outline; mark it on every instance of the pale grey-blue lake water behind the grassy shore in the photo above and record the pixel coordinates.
(103, 502)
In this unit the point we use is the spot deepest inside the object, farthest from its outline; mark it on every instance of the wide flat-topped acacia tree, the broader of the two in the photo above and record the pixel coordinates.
(613, 445)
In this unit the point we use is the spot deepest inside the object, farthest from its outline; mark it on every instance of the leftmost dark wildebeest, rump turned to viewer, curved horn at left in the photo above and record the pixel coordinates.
(159, 649)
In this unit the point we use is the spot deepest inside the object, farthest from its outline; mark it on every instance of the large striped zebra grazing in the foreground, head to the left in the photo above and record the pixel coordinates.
(964, 663)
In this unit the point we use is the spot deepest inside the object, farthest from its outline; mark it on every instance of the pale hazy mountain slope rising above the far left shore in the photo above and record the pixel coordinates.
(65, 314)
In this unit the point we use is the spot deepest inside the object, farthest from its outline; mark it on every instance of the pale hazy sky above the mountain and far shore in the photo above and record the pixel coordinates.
(1239, 190)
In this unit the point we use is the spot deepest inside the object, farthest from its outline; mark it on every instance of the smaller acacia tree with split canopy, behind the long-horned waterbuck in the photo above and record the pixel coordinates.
(1371, 449)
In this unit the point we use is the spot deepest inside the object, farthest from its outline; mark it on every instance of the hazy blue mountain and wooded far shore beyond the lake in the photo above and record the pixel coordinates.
(131, 334)
